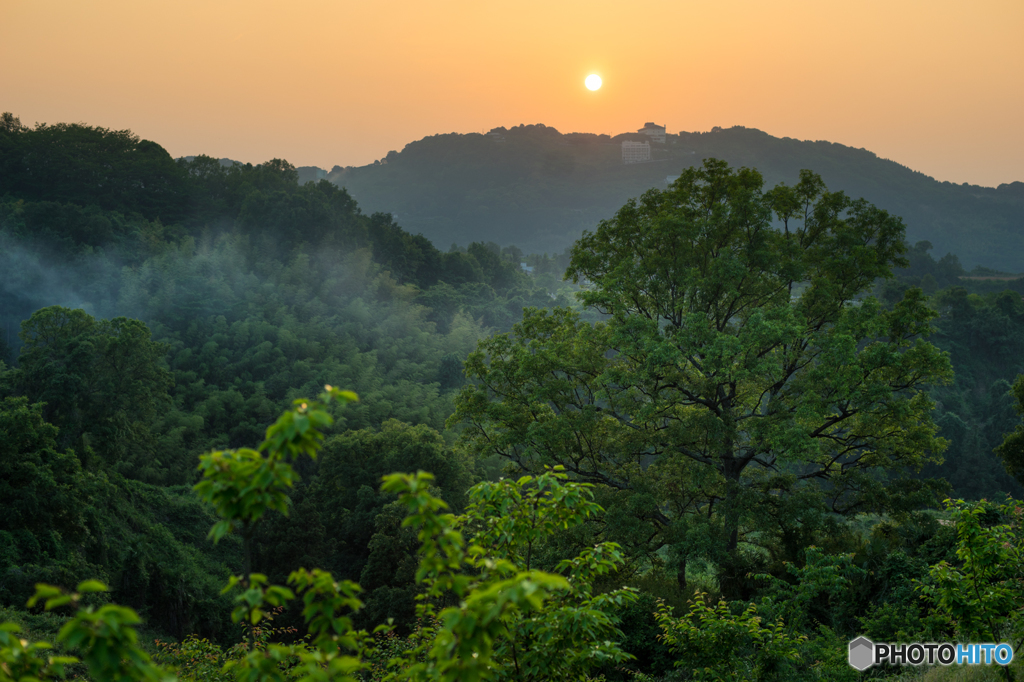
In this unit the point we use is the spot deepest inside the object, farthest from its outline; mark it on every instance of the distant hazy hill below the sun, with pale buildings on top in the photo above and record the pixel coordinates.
(538, 189)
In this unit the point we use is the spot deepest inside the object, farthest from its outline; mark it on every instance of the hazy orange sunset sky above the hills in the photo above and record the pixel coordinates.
(935, 86)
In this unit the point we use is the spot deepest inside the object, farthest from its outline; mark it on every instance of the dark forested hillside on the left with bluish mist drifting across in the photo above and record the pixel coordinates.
(153, 310)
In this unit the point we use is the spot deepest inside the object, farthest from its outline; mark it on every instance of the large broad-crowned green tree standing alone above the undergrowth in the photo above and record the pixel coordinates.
(743, 390)
